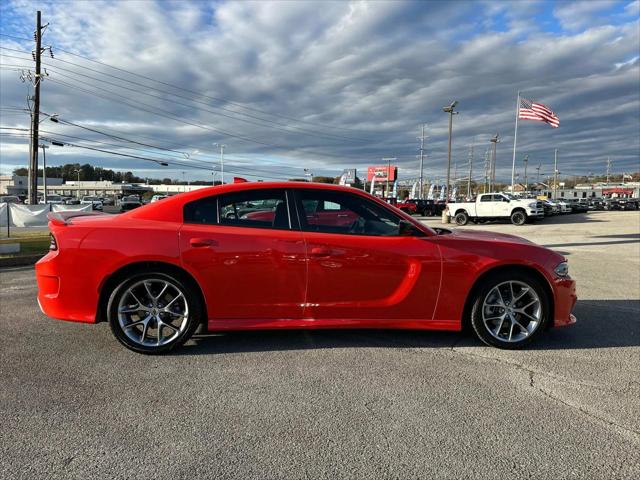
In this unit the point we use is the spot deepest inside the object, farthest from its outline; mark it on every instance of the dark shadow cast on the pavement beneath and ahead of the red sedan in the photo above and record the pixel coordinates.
(601, 324)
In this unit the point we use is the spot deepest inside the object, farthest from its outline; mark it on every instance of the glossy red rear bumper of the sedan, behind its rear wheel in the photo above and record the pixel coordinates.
(63, 291)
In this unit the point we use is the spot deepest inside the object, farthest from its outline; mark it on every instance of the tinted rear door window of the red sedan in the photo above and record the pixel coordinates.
(255, 208)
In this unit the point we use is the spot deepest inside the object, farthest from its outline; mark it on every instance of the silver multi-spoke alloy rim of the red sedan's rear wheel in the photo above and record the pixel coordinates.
(153, 312)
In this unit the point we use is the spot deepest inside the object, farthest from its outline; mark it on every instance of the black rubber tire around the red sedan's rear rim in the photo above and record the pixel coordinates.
(191, 302)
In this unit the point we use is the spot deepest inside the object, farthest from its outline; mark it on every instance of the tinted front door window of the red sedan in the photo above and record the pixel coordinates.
(339, 212)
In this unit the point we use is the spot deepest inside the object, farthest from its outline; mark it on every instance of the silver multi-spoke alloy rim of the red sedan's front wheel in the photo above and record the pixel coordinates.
(512, 311)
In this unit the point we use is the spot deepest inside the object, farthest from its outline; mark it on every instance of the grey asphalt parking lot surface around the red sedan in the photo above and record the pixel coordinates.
(338, 404)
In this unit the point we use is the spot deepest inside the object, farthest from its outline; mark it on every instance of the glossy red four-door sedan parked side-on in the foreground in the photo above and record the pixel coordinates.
(294, 255)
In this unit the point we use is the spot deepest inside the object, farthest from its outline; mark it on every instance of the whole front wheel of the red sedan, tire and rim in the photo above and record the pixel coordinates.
(510, 310)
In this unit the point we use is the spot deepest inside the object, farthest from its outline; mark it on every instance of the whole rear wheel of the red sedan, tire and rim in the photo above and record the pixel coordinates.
(153, 312)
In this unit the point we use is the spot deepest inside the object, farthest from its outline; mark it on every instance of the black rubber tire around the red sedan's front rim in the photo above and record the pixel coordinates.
(487, 287)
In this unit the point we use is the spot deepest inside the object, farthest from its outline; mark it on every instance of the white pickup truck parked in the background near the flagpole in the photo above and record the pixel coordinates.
(490, 206)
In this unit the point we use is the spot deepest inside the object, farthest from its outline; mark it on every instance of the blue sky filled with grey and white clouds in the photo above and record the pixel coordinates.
(324, 85)
